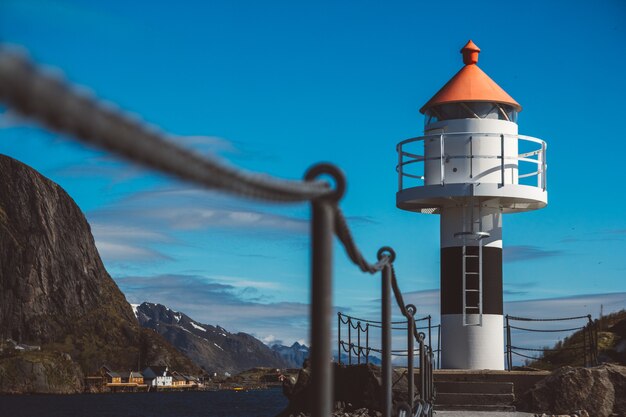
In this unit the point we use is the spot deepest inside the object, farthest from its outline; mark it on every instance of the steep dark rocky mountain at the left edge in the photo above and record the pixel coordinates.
(54, 290)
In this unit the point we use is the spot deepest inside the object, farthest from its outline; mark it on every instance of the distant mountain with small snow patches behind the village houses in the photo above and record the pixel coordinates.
(212, 348)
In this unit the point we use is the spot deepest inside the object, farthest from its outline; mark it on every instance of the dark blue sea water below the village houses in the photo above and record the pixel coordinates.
(261, 403)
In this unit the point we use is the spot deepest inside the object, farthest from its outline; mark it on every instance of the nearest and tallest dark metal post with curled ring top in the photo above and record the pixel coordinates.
(322, 232)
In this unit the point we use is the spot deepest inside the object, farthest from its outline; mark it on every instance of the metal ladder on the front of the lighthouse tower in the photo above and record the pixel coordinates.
(474, 306)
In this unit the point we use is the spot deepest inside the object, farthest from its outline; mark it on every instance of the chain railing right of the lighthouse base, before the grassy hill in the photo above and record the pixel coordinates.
(582, 352)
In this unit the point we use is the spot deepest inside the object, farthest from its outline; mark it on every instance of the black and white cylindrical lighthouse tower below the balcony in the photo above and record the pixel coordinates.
(471, 336)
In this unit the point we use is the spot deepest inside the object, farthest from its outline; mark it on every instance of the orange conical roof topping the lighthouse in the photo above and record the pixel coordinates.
(471, 84)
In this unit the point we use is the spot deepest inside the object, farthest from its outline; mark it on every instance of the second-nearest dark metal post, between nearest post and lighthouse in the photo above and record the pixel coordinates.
(386, 339)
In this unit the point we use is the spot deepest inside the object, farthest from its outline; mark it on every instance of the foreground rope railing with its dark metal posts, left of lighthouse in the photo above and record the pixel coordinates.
(57, 105)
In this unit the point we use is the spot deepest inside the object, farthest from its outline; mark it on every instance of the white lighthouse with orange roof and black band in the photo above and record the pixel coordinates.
(471, 167)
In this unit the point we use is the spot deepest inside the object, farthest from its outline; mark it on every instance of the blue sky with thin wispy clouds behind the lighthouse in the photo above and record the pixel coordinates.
(278, 86)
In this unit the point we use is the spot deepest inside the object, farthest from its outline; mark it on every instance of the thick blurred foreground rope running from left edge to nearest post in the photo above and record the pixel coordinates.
(64, 108)
